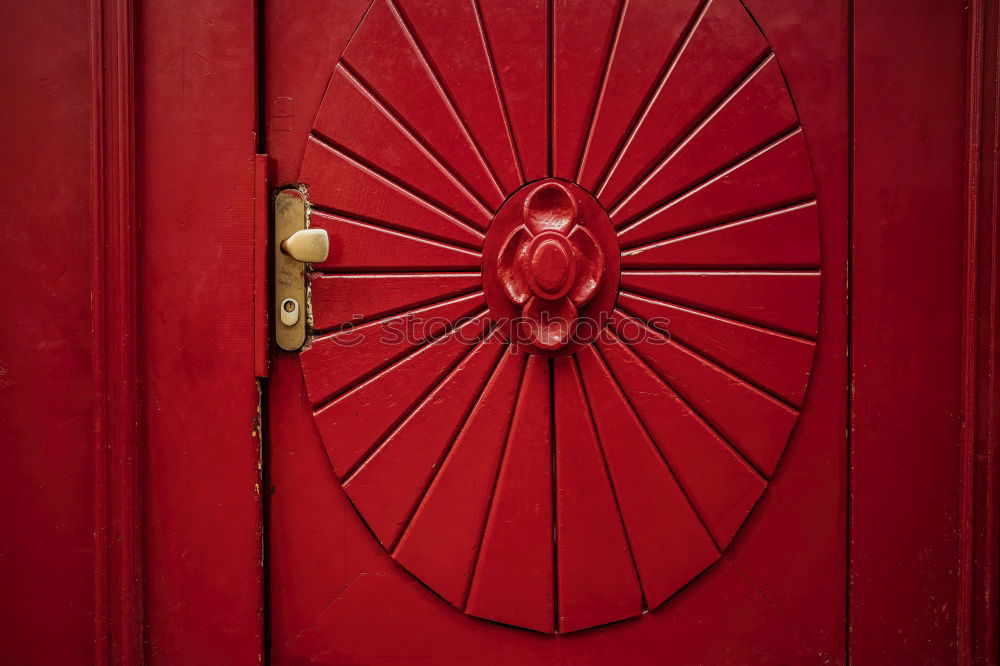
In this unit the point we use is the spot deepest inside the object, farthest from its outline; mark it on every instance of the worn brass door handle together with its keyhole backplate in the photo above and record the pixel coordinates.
(294, 246)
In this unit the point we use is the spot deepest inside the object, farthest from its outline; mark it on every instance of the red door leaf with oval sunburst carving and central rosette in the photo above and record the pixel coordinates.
(576, 360)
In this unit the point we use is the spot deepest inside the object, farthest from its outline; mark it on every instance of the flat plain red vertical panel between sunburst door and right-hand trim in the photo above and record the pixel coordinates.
(907, 407)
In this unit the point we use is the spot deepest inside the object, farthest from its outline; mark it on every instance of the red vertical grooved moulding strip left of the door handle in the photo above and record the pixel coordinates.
(117, 463)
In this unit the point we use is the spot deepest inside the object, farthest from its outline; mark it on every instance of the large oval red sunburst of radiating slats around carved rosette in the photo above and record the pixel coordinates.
(549, 484)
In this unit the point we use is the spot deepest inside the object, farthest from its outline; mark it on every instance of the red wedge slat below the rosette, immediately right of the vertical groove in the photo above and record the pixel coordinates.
(597, 580)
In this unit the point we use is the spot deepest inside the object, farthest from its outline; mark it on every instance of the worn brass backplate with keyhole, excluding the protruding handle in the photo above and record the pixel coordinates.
(290, 215)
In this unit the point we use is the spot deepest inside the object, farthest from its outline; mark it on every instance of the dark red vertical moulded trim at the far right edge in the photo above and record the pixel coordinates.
(978, 555)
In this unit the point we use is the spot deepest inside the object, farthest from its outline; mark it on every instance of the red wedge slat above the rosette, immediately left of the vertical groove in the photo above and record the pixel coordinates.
(518, 34)
